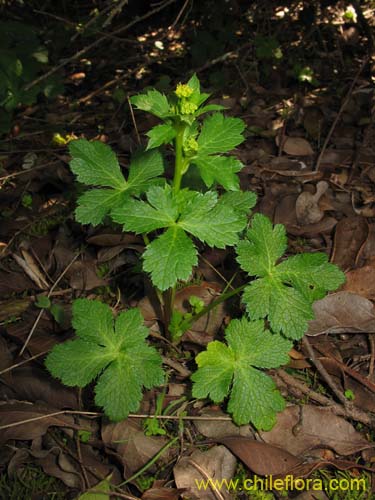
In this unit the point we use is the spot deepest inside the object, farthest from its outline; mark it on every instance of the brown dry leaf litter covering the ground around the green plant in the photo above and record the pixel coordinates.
(284, 176)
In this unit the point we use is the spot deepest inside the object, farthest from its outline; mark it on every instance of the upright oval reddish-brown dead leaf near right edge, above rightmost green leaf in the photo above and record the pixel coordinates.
(350, 235)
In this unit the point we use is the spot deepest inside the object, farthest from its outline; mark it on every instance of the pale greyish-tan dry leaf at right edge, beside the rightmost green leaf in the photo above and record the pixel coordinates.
(342, 312)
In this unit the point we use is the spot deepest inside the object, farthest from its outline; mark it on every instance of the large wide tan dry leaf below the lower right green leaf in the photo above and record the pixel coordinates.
(299, 430)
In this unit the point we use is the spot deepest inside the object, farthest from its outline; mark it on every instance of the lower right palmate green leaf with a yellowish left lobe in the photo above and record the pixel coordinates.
(232, 370)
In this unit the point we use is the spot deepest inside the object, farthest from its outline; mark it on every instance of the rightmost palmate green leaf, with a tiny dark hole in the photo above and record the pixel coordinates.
(283, 292)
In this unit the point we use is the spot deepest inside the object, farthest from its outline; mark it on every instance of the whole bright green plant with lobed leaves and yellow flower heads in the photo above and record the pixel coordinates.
(173, 221)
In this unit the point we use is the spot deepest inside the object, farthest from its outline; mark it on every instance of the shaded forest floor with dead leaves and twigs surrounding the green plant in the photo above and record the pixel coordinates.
(303, 81)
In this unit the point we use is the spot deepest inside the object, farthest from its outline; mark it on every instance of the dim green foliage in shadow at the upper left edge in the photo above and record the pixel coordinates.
(22, 57)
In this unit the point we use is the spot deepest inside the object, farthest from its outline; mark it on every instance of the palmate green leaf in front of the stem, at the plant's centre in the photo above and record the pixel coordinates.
(171, 256)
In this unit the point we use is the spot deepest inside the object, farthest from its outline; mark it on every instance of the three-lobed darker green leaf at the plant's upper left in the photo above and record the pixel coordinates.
(95, 164)
